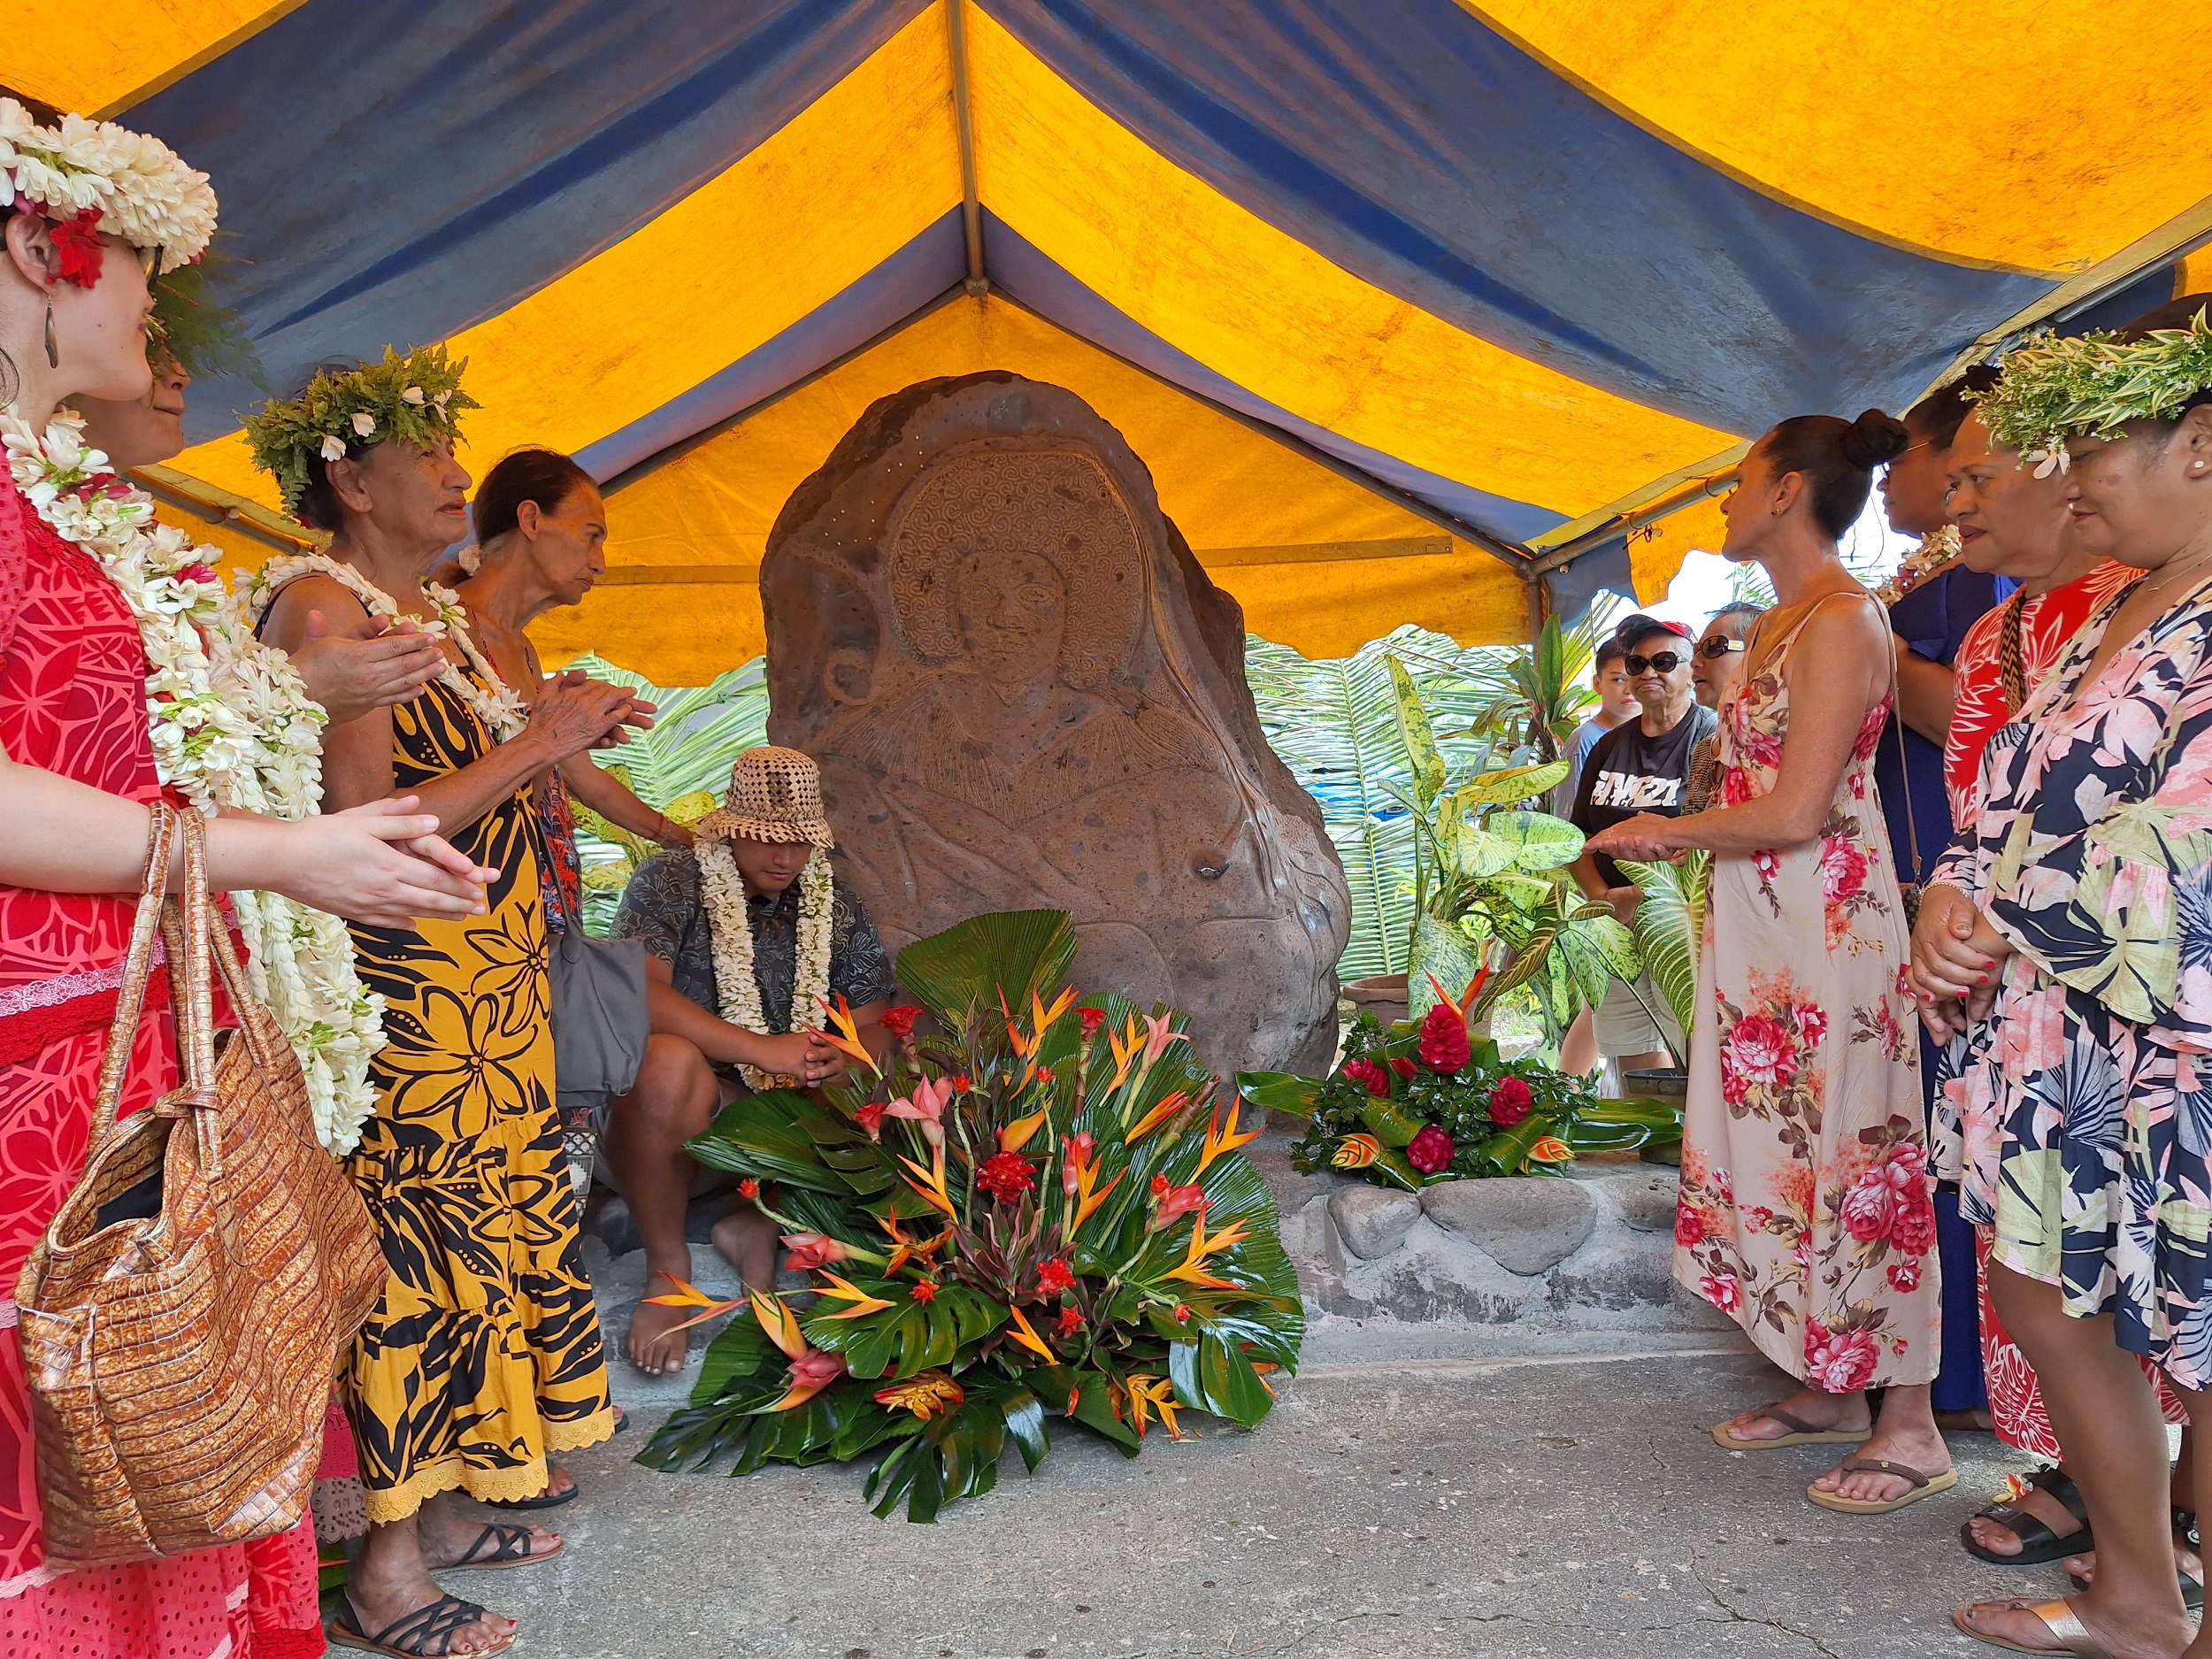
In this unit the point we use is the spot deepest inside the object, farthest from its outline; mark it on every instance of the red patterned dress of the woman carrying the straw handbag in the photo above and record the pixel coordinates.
(74, 702)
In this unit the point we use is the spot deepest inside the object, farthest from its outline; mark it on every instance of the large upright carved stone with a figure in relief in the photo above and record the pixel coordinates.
(1025, 693)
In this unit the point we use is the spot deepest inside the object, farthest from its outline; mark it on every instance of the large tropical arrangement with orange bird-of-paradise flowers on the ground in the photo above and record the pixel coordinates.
(1036, 1211)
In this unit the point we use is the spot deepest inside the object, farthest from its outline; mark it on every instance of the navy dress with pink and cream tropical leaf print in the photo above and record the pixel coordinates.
(2083, 1109)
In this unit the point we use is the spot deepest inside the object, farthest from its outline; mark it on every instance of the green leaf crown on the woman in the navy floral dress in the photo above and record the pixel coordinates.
(2094, 386)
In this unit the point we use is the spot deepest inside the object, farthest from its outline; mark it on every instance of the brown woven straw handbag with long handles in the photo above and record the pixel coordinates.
(182, 1315)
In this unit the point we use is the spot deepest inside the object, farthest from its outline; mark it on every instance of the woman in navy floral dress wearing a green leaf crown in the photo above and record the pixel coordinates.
(2067, 935)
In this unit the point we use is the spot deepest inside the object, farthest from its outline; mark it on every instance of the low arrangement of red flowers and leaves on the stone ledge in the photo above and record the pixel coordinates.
(1423, 1105)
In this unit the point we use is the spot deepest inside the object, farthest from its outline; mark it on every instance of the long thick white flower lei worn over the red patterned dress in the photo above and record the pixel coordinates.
(233, 727)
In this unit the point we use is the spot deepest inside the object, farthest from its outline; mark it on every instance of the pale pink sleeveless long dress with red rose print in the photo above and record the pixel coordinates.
(1806, 1193)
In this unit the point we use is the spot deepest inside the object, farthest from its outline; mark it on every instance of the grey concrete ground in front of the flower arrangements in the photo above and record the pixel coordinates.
(1390, 1510)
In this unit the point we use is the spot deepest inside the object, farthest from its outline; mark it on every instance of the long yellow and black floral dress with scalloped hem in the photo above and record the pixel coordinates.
(483, 1355)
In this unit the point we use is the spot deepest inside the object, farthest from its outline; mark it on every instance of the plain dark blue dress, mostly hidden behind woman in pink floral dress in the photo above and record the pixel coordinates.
(1934, 620)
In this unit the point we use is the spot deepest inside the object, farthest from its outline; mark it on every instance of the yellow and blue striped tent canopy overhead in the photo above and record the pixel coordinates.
(1401, 300)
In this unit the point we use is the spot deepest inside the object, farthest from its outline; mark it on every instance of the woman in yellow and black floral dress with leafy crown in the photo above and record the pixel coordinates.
(486, 1353)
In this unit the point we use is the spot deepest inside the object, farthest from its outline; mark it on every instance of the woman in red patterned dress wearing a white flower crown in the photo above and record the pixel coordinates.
(87, 211)
